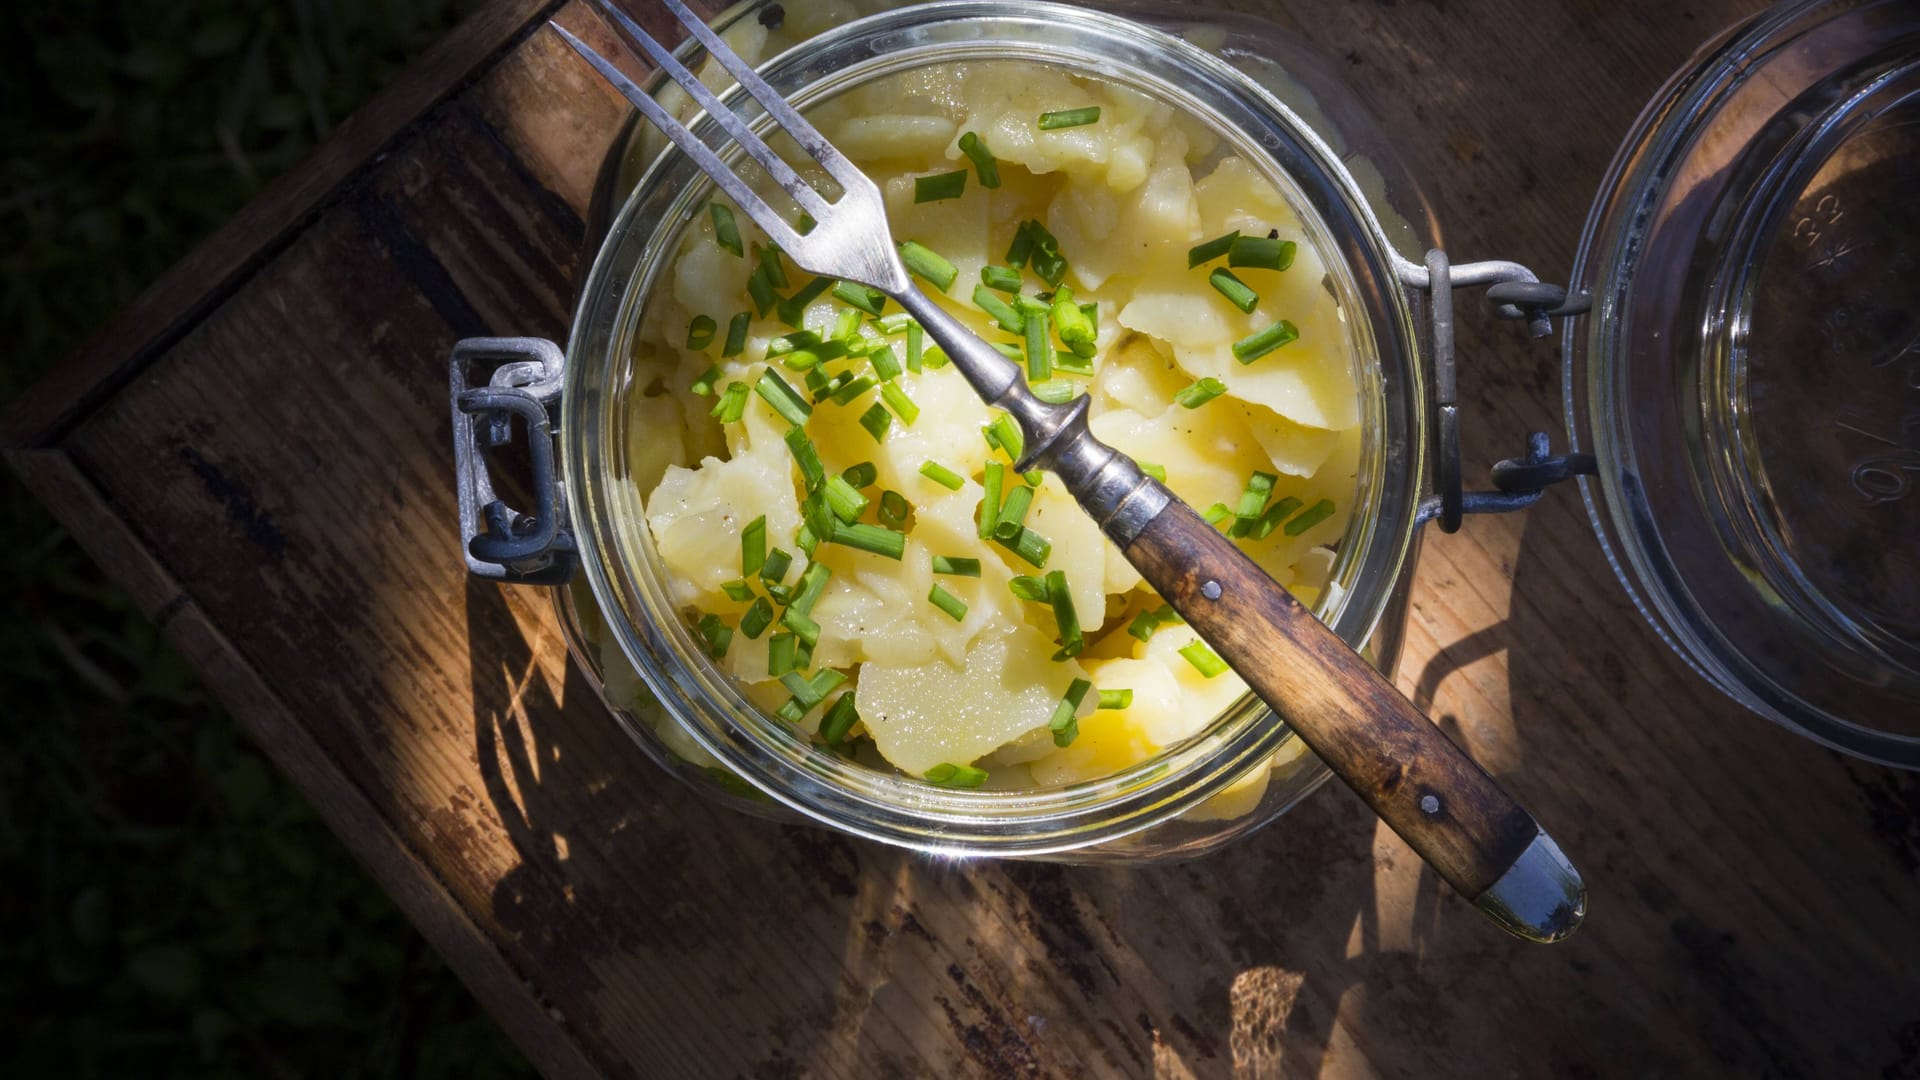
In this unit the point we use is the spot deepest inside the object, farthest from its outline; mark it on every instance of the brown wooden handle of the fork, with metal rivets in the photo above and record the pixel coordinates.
(1355, 720)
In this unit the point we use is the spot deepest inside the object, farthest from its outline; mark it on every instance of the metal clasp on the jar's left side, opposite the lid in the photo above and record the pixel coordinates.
(498, 541)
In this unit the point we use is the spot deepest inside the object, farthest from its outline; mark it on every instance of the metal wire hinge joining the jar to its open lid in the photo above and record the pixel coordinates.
(1514, 293)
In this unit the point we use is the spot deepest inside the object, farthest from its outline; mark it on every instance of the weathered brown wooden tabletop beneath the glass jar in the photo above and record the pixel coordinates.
(260, 454)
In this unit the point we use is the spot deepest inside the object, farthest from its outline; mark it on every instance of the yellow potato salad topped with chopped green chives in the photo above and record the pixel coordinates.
(840, 516)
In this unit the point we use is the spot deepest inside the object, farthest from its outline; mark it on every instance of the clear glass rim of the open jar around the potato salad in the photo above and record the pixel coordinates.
(896, 808)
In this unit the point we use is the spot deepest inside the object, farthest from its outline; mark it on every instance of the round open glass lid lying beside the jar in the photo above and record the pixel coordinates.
(1750, 376)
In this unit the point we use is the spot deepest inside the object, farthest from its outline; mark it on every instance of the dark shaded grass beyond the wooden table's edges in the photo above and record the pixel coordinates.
(172, 906)
